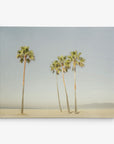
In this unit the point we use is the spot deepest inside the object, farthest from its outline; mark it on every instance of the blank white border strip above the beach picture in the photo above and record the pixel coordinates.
(56, 13)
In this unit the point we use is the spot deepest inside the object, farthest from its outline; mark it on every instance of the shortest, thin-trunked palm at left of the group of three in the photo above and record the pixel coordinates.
(56, 67)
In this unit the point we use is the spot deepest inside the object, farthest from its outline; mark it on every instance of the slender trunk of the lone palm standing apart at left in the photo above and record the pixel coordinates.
(22, 105)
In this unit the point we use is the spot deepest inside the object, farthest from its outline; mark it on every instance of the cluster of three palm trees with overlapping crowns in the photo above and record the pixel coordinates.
(62, 65)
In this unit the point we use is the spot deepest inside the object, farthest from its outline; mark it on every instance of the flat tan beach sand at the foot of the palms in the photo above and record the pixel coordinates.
(52, 113)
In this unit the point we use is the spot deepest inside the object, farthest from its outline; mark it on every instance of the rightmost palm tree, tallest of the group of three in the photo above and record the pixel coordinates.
(77, 60)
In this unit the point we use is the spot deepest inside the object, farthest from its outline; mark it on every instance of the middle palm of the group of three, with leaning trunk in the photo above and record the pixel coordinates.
(65, 65)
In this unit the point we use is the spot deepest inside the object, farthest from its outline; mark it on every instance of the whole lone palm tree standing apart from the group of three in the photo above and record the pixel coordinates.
(25, 55)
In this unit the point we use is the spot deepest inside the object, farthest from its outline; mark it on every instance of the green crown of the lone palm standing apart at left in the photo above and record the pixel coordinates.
(25, 53)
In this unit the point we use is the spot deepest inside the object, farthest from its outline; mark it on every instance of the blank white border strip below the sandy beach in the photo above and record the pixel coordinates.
(56, 131)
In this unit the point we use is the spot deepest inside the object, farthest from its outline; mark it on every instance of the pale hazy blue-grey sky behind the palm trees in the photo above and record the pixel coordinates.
(95, 81)
